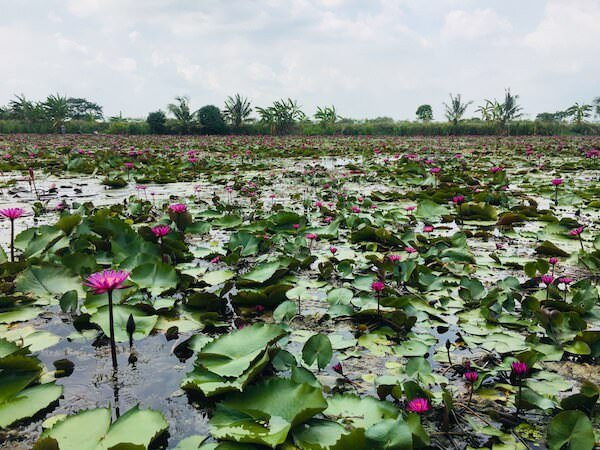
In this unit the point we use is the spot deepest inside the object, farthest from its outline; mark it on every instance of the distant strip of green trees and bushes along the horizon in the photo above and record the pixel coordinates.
(58, 113)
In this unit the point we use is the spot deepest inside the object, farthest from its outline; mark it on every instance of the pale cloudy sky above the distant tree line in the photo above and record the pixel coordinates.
(368, 58)
